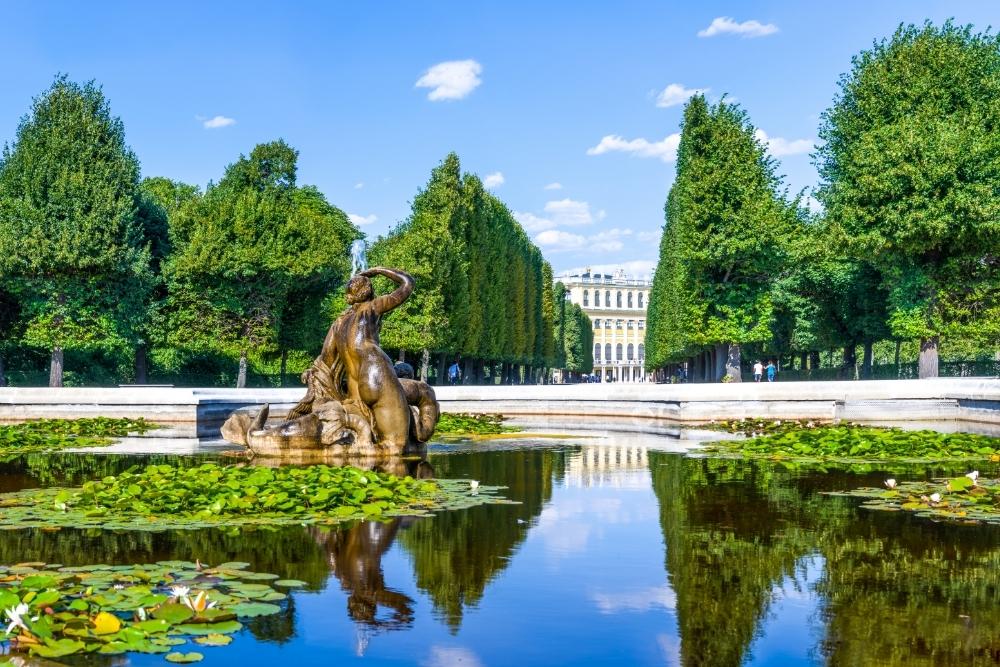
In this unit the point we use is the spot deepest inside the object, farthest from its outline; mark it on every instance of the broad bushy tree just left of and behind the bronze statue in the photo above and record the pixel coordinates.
(245, 252)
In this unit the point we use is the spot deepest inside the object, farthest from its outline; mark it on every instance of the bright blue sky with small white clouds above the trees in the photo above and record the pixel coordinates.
(577, 95)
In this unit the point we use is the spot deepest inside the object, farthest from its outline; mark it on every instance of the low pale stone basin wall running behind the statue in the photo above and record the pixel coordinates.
(199, 413)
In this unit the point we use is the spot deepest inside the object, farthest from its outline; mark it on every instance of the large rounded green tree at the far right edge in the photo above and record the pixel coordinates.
(910, 169)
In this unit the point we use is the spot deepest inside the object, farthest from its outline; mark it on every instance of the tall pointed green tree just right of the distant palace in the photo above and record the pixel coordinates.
(727, 227)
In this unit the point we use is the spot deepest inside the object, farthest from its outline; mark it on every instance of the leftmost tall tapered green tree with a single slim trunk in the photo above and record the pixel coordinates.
(71, 243)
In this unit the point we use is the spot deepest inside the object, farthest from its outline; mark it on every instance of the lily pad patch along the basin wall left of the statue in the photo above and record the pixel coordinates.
(47, 435)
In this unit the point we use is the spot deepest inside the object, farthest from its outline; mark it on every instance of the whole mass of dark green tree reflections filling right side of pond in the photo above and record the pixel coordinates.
(896, 589)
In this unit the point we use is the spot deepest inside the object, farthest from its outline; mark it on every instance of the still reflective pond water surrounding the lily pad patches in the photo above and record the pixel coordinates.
(616, 555)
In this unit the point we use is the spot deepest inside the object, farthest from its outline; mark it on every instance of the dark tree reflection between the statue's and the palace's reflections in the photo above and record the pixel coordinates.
(457, 554)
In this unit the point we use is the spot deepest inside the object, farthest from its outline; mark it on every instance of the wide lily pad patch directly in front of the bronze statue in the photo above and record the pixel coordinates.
(161, 497)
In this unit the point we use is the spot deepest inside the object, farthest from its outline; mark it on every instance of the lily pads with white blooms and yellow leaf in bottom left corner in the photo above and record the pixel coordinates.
(55, 611)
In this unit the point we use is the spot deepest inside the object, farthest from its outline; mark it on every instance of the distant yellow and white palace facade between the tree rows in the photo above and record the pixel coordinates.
(616, 305)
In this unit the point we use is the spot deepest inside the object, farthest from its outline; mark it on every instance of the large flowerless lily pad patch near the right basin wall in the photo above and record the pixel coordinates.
(853, 443)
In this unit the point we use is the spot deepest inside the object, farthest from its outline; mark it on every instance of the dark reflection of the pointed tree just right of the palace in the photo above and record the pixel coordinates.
(728, 543)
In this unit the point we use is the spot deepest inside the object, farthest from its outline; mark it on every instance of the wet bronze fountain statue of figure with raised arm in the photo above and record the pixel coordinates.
(354, 403)
